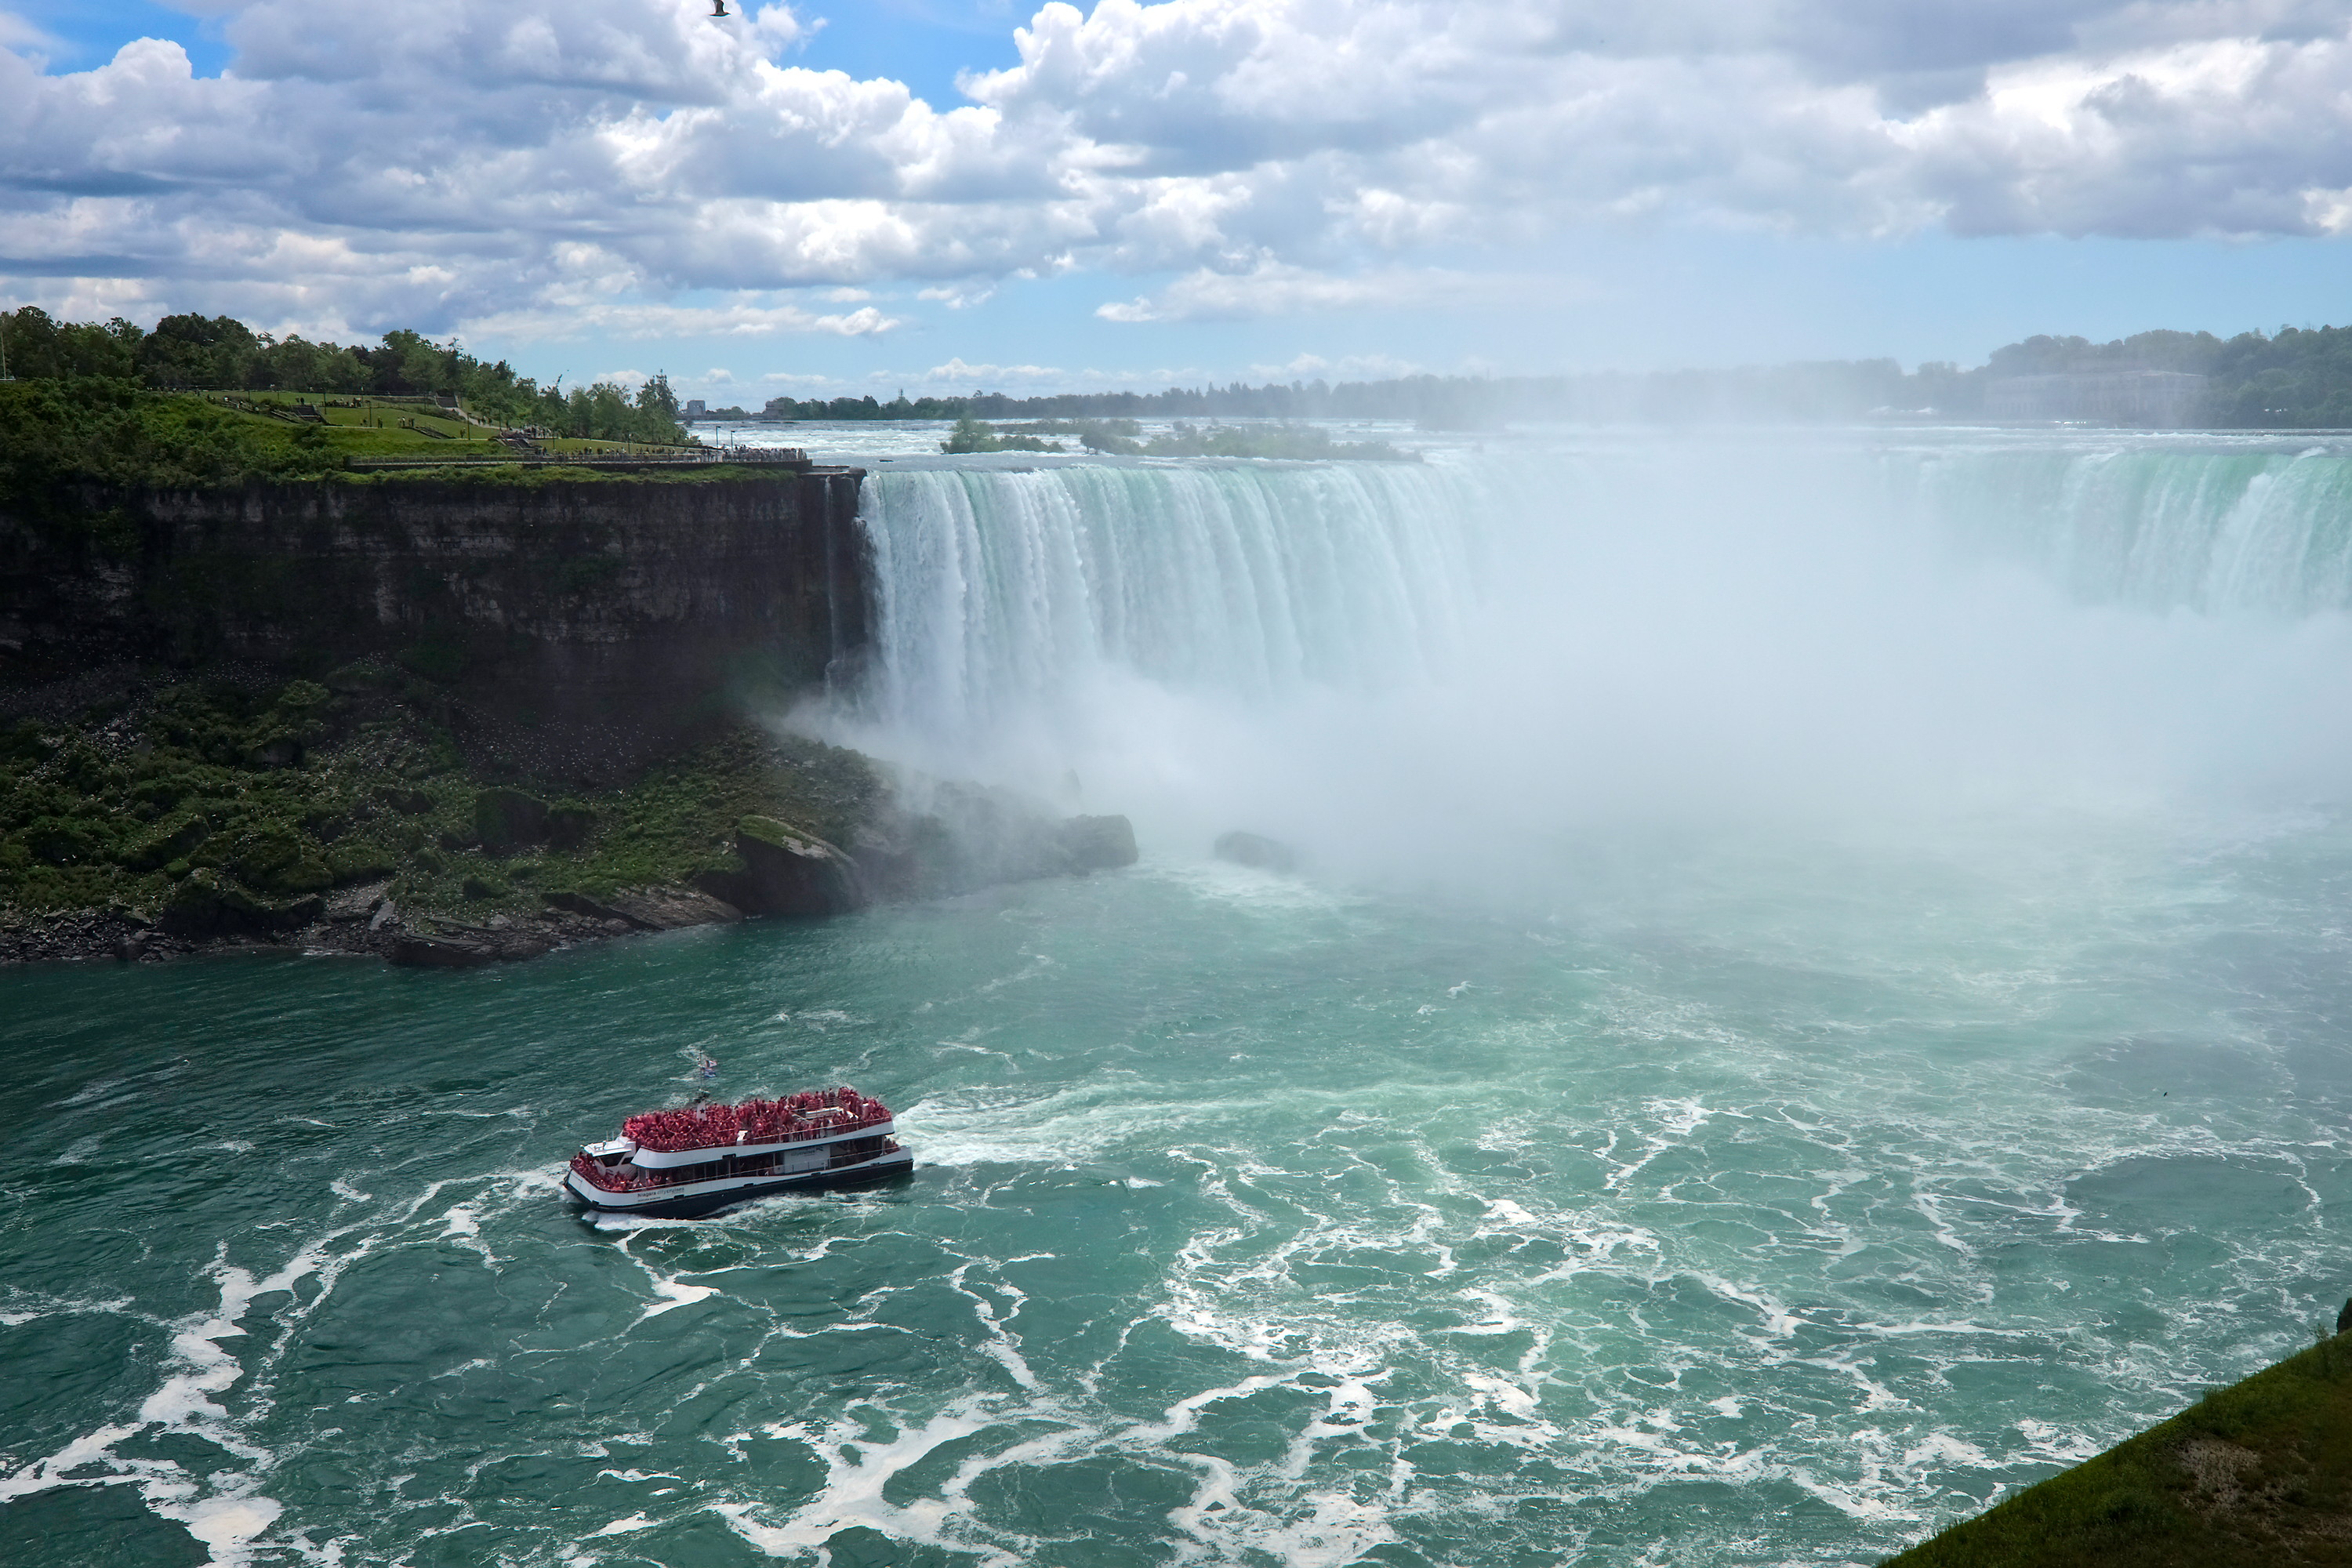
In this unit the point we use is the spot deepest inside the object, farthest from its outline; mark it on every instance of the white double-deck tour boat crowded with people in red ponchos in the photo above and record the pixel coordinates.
(676, 1165)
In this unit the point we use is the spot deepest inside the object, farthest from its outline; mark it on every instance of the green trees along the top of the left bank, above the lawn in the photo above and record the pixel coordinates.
(218, 354)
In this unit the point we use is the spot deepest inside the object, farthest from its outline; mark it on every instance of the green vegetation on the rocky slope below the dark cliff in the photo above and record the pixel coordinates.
(208, 796)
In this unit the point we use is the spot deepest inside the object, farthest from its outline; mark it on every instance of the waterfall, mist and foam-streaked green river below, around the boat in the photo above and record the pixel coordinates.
(1815, 996)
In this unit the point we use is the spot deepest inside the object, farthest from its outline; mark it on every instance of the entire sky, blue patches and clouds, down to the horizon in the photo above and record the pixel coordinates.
(904, 194)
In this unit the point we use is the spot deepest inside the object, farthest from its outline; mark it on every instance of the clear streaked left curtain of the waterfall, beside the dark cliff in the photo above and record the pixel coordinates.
(998, 589)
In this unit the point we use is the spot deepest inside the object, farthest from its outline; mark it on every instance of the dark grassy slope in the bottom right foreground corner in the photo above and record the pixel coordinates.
(2259, 1473)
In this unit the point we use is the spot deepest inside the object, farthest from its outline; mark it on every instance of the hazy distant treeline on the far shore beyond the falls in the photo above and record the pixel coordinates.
(2294, 380)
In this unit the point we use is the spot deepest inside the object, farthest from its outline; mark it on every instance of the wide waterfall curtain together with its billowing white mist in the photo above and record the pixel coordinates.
(1539, 641)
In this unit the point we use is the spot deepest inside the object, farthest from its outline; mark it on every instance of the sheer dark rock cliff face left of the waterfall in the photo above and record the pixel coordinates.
(580, 601)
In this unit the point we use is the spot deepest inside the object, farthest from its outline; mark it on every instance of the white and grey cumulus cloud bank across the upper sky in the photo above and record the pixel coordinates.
(563, 166)
